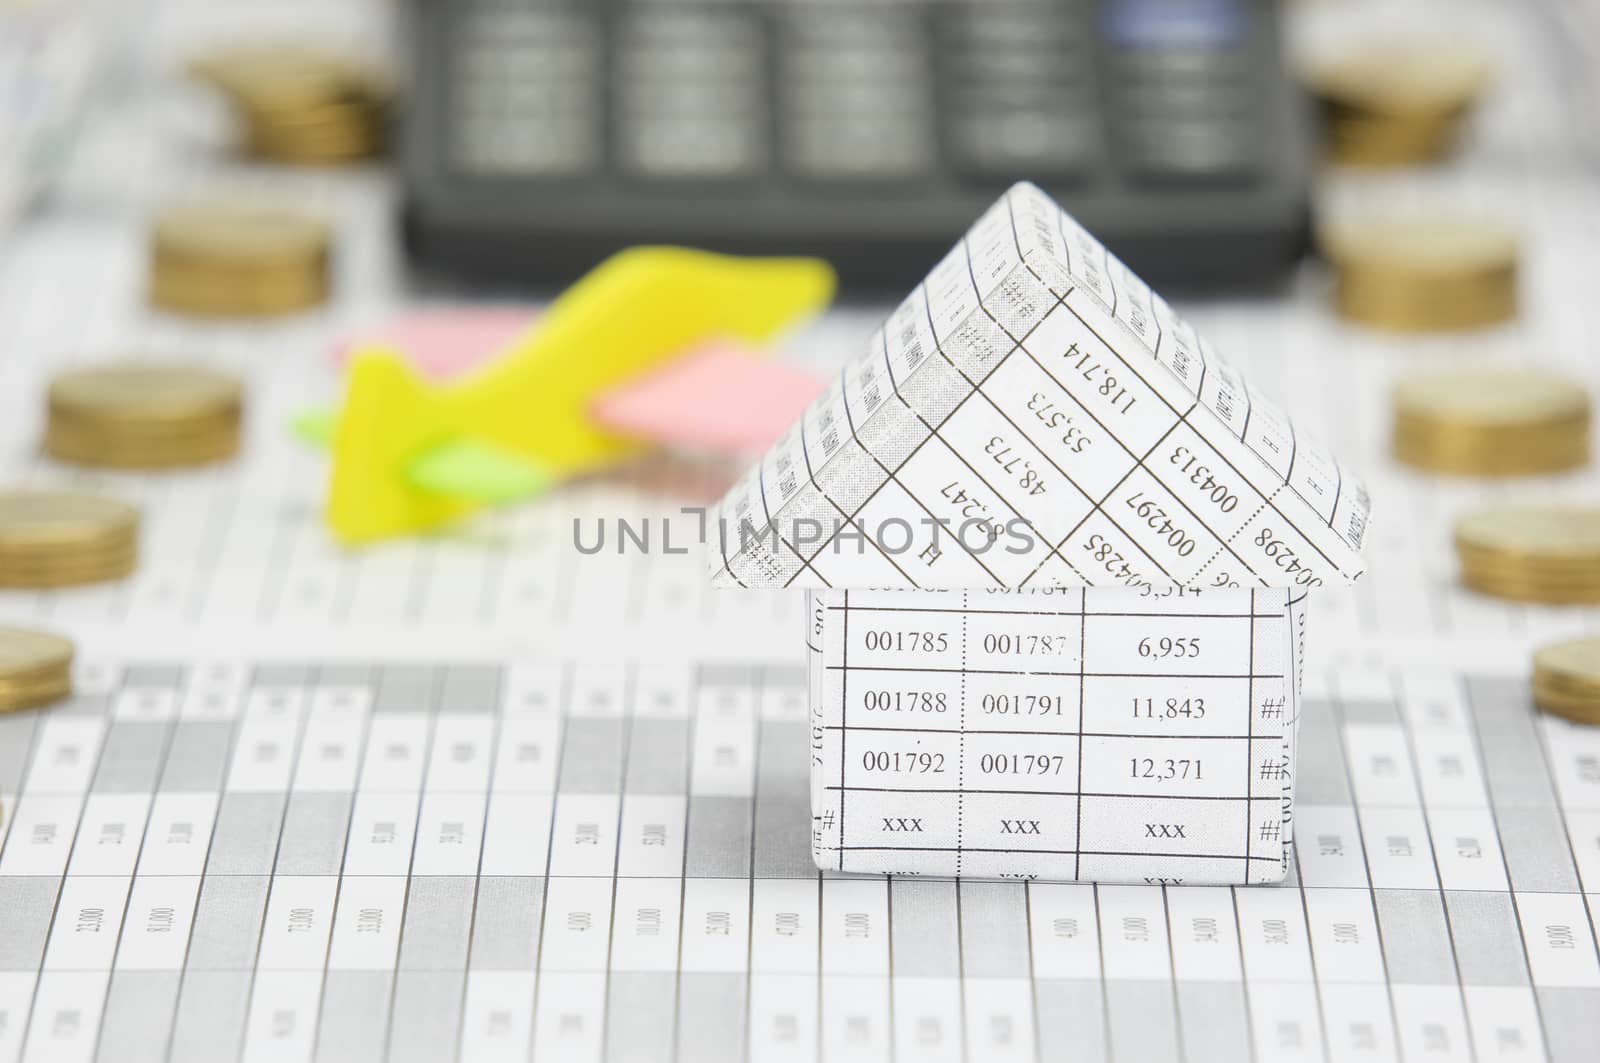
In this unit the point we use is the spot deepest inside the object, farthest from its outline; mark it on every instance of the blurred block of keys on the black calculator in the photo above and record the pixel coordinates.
(868, 92)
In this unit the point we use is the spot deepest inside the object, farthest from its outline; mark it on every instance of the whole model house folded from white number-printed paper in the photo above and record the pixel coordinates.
(1058, 556)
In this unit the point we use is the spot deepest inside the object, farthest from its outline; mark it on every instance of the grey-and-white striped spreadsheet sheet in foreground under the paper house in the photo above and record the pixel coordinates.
(439, 860)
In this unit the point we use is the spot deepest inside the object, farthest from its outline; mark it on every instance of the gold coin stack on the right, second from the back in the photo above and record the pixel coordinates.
(1423, 275)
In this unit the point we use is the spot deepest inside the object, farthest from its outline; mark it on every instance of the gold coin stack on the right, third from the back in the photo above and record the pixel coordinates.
(1492, 422)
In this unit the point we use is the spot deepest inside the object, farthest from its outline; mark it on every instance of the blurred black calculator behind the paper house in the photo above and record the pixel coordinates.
(542, 135)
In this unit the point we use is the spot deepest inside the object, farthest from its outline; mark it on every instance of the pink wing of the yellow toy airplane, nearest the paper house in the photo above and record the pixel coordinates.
(718, 396)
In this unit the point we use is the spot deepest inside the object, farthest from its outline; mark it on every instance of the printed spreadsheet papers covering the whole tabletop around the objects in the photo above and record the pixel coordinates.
(479, 795)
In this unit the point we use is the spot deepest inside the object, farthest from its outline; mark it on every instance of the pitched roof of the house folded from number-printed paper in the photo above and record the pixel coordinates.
(1033, 415)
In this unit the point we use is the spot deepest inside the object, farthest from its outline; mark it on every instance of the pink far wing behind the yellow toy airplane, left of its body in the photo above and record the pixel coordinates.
(446, 342)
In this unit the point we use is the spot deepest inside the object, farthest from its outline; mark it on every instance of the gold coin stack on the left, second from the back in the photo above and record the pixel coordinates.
(238, 260)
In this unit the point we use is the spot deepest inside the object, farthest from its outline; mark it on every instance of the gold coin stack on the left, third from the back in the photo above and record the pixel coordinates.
(143, 417)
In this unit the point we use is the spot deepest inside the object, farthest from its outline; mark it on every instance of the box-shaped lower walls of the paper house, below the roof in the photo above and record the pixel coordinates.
(1057, 734)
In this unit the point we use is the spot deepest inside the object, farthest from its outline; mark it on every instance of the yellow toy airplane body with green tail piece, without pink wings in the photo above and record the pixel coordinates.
(410, 455)
